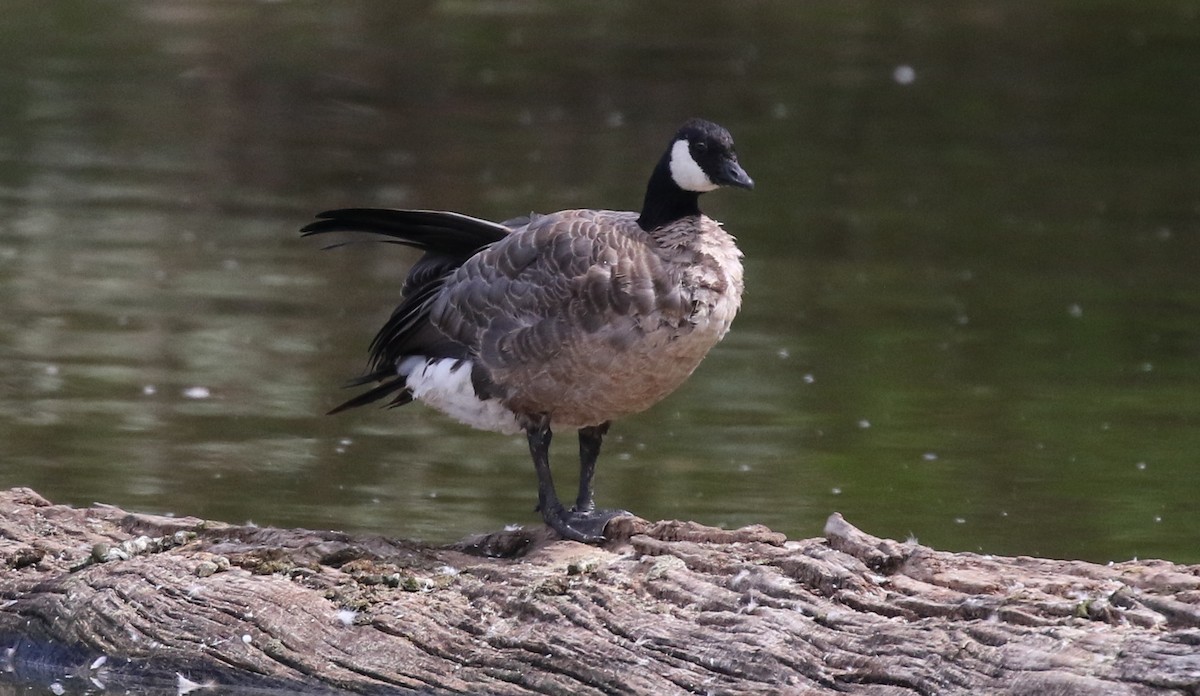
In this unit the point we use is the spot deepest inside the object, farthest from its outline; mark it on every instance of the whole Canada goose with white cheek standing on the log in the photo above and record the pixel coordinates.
(573, 319)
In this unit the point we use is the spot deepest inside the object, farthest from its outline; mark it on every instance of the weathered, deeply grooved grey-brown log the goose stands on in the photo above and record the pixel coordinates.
(103, 596)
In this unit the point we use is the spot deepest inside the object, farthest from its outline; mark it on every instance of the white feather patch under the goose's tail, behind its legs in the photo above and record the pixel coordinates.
(446, 386)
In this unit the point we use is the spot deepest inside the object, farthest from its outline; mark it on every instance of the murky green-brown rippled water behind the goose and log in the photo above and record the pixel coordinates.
(973, 292)
